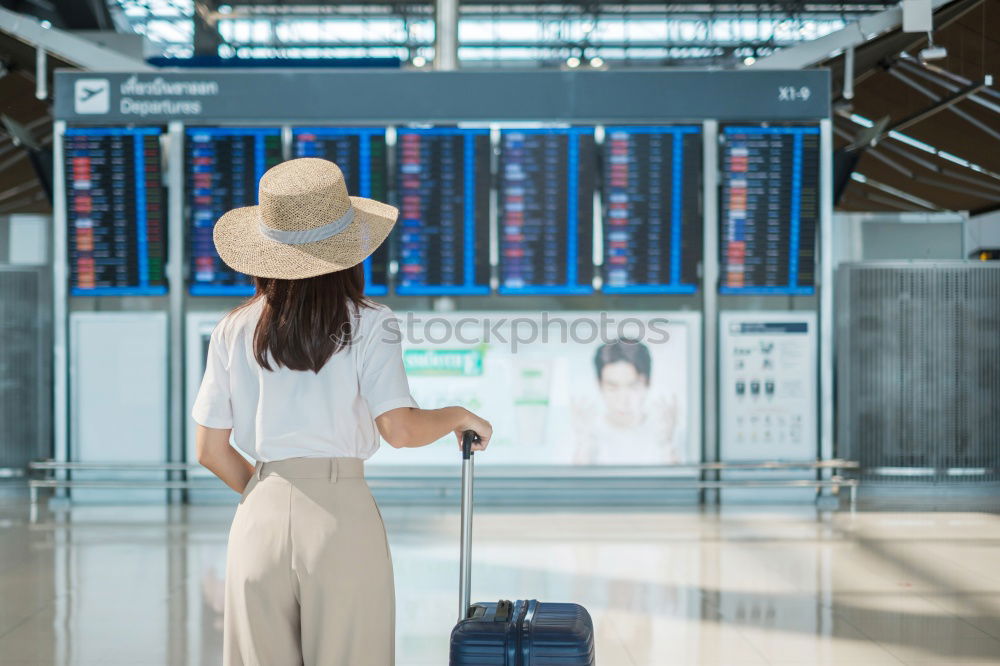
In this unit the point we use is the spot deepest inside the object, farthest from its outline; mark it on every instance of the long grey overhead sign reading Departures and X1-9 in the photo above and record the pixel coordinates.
(399, 96)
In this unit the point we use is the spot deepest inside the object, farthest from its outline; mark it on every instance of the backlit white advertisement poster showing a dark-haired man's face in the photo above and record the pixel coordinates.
(565, 388)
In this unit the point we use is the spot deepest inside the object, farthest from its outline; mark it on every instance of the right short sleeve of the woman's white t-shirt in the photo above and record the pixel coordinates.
(382, 376)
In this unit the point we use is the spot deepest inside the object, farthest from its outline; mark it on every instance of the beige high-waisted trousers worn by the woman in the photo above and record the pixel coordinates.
(308, 570)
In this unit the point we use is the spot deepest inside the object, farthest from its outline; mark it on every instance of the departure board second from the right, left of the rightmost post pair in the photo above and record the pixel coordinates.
(652, 214)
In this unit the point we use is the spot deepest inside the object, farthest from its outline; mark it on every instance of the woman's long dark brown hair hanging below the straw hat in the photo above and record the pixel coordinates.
(305, 322)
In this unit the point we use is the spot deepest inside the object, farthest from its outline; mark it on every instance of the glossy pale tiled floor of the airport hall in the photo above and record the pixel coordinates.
(143, 585)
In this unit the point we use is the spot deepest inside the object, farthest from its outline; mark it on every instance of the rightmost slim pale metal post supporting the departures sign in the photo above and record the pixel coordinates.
(826, 290)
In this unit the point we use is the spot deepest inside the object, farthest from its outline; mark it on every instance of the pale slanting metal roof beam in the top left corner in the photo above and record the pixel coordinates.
(67, 46)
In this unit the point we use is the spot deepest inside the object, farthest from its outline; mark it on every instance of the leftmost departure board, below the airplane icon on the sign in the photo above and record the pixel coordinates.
(115, 211)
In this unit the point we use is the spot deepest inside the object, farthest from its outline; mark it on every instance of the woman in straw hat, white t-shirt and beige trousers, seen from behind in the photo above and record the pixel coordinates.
(305, 376)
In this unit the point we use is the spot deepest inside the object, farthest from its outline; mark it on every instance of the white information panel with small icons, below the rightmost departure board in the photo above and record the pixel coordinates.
(768, 378)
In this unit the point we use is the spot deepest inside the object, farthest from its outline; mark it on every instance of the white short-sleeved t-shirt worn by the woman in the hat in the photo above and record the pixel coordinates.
(281, 413)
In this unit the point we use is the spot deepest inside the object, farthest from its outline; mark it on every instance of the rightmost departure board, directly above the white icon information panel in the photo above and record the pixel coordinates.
(770, 209)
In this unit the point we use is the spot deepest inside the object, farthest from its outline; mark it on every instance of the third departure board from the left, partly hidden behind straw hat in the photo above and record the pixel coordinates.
(360, 152)
